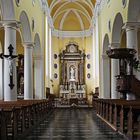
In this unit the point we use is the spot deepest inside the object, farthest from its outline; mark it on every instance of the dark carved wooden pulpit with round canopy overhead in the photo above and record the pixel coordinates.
(126, 81)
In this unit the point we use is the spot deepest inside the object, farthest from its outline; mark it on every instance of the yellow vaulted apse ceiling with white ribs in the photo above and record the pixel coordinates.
(71, 15)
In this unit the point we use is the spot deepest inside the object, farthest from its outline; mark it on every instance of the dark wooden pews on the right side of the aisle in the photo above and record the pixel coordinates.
(121, 115)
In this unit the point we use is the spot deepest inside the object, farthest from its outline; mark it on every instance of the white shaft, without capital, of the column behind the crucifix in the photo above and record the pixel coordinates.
(10, 38)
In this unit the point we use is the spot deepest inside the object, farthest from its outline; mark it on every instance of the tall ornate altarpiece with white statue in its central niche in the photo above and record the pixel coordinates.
(72, 83)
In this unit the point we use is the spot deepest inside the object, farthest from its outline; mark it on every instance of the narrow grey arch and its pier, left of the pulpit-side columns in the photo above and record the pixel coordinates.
(105, 70)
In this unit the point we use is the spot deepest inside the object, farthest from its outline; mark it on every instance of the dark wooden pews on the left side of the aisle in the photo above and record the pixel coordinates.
(17, 118)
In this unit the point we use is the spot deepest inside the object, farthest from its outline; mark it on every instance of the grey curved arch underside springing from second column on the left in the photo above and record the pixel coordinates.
(25, 27)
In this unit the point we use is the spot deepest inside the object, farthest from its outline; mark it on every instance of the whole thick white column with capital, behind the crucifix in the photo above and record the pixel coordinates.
(10, 93)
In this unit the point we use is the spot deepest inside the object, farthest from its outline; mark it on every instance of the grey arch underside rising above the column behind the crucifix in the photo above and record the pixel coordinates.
(7, 9)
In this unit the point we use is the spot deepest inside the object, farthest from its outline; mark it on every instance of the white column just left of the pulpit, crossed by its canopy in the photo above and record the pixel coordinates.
(114, 72)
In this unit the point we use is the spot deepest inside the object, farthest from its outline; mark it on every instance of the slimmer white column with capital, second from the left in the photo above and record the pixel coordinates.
(28, 71)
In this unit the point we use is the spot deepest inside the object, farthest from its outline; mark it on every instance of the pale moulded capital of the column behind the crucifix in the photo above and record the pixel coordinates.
(10, 23)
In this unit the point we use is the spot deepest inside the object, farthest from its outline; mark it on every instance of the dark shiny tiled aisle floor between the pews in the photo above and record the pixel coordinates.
(73, 124)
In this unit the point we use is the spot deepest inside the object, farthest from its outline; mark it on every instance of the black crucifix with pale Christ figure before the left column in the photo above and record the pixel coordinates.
(11, 58)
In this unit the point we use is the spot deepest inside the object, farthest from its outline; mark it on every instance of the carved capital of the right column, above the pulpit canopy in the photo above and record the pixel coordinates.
(131, 26)
